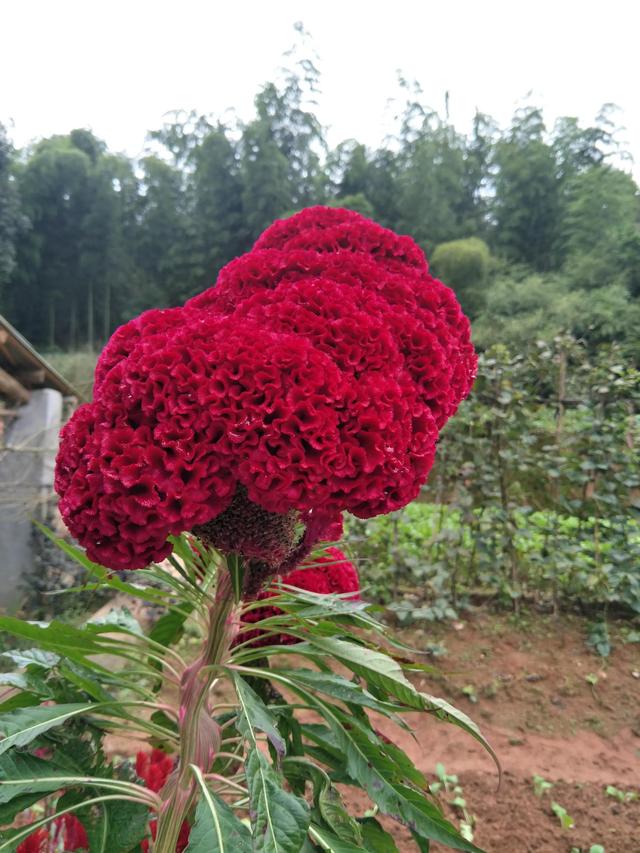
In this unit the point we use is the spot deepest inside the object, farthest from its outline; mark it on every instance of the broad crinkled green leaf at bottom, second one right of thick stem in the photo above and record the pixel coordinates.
(280, 820)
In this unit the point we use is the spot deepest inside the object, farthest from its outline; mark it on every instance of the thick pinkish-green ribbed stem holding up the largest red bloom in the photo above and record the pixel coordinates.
(199, 734)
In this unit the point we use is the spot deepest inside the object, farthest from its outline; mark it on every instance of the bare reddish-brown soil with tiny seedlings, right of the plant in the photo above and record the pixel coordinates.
(550, 708)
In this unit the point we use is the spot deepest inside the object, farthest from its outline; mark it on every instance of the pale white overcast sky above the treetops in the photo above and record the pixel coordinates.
(117, 67)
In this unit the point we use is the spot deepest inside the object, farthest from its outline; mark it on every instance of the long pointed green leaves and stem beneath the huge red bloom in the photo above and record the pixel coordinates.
(250, 798)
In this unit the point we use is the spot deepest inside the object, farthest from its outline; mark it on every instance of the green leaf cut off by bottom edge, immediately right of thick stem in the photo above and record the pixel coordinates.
(216, 828)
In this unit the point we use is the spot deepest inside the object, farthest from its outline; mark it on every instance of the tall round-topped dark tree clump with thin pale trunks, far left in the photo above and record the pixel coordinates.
(73, 262)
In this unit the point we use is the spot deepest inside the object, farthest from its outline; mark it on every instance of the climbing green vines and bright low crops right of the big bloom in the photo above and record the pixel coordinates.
(533, 495)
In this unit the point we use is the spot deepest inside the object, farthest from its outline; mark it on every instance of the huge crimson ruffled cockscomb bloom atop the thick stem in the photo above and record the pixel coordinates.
(312, 379)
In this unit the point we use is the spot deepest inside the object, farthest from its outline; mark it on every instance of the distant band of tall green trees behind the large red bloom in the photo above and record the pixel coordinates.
(535, 228)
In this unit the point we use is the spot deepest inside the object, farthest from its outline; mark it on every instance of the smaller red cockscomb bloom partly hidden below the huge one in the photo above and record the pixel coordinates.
(330, 572)
